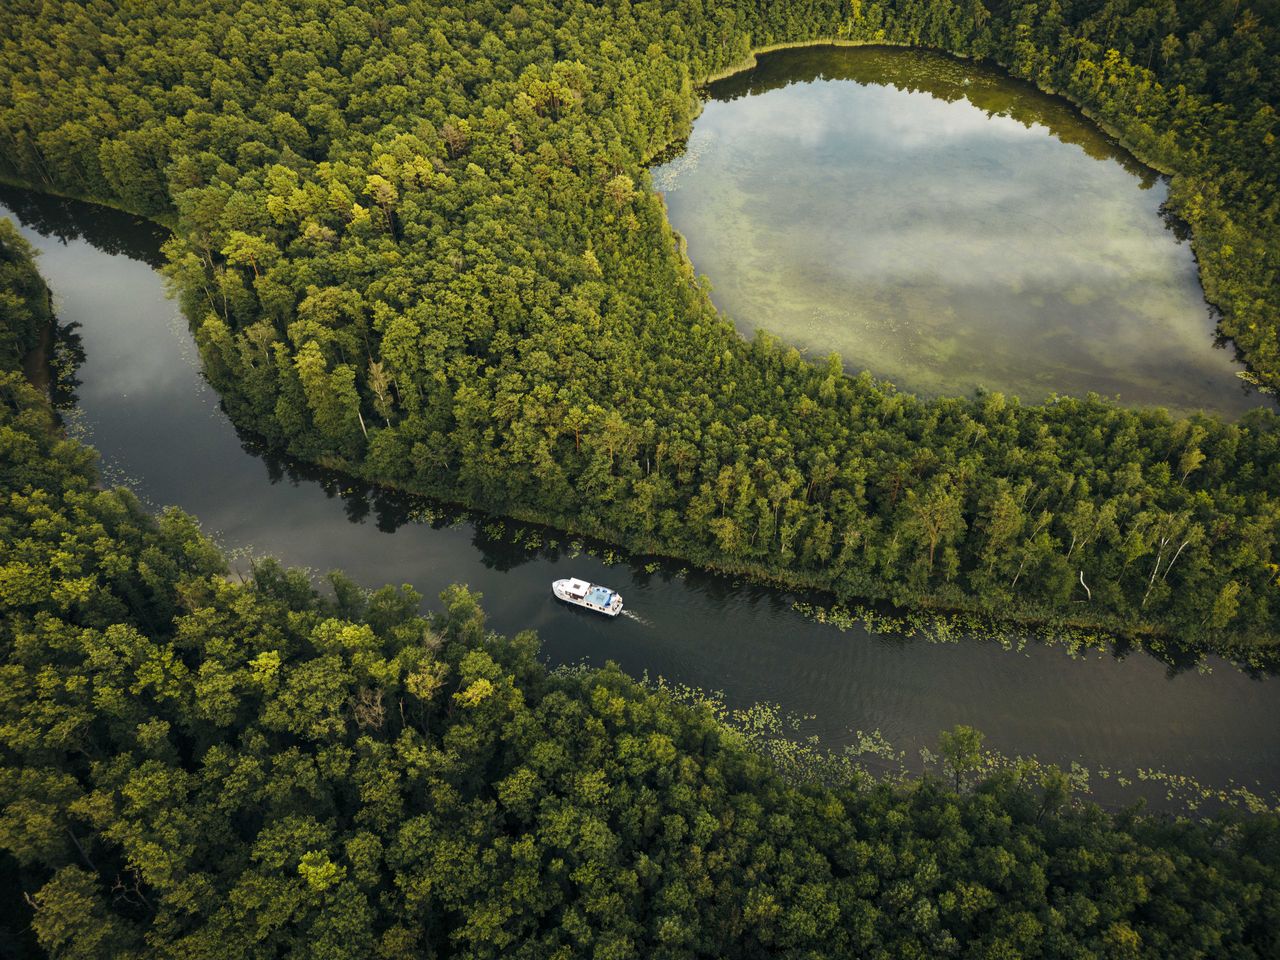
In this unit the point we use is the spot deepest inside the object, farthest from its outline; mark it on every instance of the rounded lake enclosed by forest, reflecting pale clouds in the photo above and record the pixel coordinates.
(947, 228)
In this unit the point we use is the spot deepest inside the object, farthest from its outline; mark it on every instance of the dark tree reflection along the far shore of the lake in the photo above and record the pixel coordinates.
(941, 77)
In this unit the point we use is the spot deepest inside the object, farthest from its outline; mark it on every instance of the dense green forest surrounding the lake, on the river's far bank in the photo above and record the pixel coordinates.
(418, 243)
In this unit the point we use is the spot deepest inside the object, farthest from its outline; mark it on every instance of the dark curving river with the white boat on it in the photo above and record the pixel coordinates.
(159, 428)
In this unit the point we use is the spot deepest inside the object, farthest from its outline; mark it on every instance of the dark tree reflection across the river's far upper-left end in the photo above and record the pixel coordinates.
(111, 231)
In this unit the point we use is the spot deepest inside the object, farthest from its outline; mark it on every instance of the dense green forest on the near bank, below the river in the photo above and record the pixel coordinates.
(202, 765)
